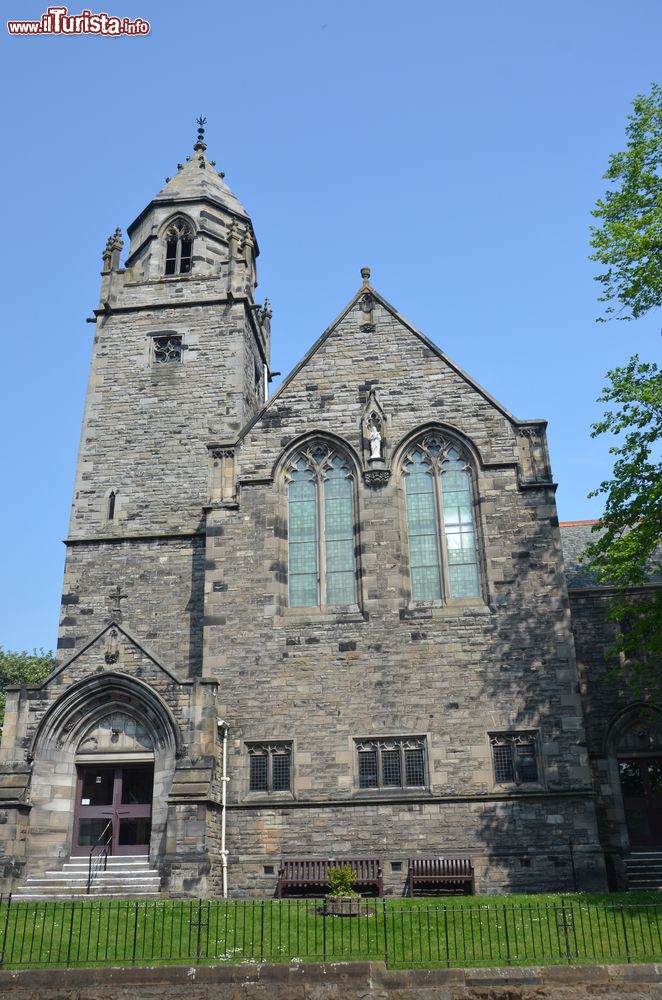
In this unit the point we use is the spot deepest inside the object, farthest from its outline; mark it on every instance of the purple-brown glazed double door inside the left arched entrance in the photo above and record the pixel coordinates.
(119, 794)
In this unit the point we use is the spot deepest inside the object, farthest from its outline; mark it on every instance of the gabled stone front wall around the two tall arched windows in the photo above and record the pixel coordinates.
(452, 674)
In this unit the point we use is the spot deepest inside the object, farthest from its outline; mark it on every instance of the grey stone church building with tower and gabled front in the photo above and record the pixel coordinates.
(337, 622)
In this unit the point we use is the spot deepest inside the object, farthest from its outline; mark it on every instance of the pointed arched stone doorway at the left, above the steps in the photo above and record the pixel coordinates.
(105, 753)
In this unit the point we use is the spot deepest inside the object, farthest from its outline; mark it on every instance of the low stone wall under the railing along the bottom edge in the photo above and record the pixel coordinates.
(337, 982)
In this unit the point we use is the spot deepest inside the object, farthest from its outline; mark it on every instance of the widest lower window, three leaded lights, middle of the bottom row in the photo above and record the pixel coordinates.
(391, 762)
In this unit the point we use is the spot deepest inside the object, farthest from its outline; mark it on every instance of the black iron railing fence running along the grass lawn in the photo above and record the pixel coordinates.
(430, 932)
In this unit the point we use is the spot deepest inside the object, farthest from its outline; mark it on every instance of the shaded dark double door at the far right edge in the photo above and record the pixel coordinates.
(641, 786)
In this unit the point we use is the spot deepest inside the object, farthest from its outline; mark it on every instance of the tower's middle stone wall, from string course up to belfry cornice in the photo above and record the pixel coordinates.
(146, 426)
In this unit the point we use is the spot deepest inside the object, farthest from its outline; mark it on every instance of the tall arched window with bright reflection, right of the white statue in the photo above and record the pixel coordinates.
(443, 560)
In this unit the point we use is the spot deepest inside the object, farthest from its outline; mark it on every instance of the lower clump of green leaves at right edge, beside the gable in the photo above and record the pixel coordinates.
(628, 552)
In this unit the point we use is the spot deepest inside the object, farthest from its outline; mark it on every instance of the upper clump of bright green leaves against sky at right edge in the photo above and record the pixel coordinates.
(629, 241)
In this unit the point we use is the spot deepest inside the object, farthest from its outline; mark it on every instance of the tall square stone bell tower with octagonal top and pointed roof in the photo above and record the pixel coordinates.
(180, 359)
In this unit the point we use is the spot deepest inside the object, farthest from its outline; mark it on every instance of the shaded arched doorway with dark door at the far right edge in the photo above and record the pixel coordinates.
(636, 749)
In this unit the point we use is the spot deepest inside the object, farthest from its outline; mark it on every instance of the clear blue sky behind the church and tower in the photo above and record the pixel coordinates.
(455, 148)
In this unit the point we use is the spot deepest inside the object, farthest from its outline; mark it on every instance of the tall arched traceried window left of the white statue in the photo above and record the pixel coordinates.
(320, 501)
